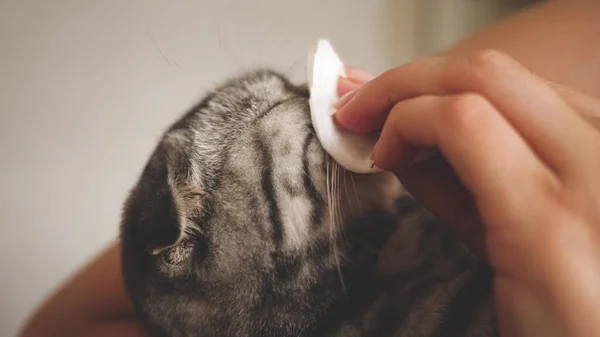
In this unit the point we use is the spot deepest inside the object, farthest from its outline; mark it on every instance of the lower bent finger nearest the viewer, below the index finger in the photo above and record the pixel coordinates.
(490, 158)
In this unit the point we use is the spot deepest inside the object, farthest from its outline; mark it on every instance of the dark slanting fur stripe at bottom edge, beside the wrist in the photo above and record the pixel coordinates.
(461, 312)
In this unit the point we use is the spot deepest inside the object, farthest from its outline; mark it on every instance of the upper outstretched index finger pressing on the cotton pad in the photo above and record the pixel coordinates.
(556, 135)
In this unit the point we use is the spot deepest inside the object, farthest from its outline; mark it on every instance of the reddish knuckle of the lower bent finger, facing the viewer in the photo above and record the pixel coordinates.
(464, 111)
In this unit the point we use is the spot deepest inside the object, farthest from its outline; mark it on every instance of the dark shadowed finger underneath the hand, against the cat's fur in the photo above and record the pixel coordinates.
(436, 186)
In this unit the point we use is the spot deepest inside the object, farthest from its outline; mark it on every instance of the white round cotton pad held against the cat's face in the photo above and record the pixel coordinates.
(351, 150)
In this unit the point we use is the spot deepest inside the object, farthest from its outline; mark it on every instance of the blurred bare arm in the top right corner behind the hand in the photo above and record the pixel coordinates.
(558, 40)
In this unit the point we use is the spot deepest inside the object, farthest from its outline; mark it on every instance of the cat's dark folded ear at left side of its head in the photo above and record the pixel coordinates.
(156, 213)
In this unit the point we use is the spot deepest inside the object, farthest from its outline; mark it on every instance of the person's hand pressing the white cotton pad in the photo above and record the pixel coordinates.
(518, 177)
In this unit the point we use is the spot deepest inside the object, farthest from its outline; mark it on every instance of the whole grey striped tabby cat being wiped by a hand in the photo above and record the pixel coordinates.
(241, 225)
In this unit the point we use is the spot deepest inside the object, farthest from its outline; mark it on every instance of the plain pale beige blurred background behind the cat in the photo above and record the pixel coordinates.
(86, 87)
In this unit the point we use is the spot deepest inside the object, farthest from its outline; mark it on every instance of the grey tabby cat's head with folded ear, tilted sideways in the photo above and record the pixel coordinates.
(234, 226)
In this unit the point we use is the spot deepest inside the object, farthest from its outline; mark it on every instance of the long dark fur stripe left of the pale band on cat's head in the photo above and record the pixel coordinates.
(269, 190)
